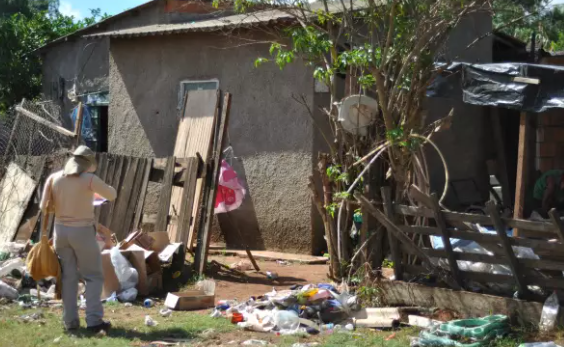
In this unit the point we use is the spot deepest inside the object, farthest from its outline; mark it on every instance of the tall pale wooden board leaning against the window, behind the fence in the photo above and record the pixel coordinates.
(195, 134)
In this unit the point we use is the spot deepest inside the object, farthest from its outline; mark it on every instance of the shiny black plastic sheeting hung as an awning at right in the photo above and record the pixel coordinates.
(495, 85)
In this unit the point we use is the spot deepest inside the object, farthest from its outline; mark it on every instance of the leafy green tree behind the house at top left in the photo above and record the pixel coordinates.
(20, 34)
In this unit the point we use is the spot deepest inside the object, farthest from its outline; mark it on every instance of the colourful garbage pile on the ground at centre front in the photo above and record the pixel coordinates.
(309, 309)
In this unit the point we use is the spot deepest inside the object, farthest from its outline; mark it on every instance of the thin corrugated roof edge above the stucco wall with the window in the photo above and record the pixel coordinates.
(236, 21)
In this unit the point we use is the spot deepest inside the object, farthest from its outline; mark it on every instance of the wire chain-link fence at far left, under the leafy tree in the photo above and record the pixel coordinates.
(23, 134)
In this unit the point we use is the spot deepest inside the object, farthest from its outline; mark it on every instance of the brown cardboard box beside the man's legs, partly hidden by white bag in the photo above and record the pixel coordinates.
(111, 282)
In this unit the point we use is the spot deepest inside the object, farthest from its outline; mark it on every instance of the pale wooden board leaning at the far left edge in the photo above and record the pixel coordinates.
(16, 189)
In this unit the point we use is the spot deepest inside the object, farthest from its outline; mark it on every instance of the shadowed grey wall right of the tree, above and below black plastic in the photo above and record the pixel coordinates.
(465, 146)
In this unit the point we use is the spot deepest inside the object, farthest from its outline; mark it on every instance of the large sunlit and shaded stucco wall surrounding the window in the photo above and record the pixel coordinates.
(271, 134)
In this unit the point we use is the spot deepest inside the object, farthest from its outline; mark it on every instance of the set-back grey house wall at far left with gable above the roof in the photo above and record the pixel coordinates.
(85, 63)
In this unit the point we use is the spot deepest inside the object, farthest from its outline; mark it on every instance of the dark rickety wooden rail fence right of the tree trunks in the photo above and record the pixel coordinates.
(548, 243)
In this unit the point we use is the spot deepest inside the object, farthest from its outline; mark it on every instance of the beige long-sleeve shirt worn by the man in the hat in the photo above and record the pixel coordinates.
(73, 197)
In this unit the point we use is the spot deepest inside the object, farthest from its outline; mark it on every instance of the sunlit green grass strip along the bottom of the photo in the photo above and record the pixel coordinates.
(129, 330)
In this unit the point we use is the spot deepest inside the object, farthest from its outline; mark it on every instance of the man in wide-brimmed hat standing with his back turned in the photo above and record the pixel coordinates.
(71, 194)
